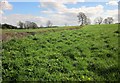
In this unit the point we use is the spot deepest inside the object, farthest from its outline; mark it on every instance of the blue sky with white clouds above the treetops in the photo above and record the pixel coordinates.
(59, 12)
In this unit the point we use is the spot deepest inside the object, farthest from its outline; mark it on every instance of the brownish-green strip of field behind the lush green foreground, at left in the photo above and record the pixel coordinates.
(8, 34)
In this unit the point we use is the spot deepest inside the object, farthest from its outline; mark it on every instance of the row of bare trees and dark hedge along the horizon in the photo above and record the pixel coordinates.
(82, 19)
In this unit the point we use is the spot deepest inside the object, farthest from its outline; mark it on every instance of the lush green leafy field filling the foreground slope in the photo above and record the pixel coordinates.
(89, 53)
